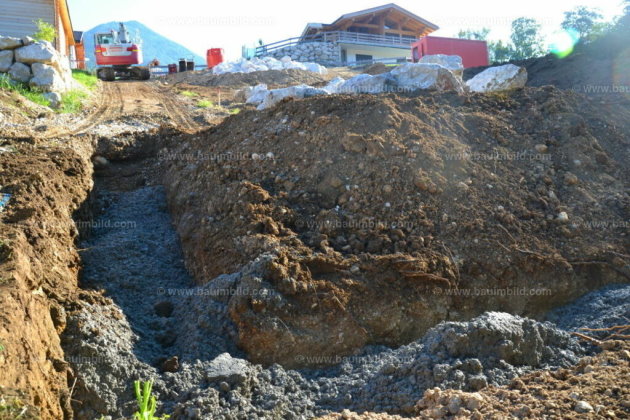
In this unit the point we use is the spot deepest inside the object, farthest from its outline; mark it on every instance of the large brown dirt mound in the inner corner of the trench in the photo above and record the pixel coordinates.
(446, 205)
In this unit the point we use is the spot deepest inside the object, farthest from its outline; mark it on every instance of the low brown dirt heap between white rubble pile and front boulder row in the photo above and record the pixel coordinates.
(273, 78)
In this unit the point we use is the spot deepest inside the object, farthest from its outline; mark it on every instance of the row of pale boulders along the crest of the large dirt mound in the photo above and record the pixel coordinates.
(435, 72)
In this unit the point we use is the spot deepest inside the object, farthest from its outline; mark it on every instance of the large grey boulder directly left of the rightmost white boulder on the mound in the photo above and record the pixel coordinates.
(411, 76)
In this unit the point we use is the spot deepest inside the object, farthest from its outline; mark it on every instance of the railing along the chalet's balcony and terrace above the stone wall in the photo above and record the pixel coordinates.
(392, 41)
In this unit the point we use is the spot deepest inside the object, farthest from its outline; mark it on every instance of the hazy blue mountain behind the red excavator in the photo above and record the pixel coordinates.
(154, 45)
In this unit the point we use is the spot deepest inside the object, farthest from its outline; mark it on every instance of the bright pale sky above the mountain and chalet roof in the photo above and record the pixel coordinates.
(203, 24)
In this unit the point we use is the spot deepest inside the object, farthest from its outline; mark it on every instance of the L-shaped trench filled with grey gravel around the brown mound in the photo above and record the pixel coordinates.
(157, 323)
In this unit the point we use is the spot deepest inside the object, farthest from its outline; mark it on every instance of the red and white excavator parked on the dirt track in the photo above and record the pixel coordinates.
(119, 56)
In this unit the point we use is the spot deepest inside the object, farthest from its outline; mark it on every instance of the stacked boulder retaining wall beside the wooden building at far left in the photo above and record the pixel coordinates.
(37, 64)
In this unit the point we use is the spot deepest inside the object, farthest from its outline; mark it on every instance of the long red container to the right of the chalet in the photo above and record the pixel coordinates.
(473, 53)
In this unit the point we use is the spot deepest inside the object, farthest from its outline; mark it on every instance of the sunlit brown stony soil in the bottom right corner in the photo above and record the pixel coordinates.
(598, 380)
